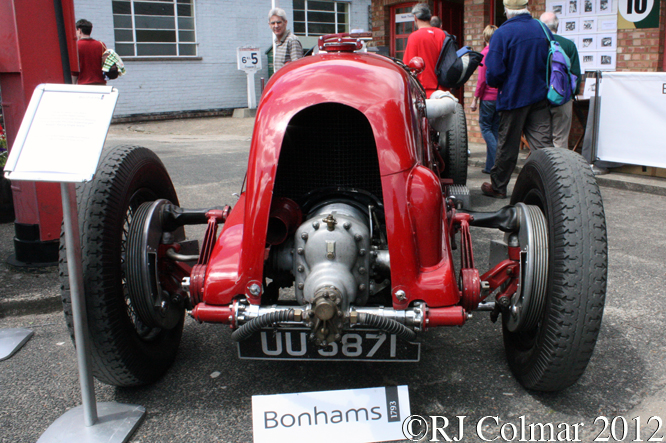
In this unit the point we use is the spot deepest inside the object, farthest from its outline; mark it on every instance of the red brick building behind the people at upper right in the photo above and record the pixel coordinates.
(637, 49)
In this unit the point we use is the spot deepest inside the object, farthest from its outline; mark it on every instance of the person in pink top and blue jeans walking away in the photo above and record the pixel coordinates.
(488, 115)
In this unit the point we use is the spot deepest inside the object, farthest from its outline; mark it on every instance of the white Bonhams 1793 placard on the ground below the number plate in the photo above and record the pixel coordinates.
(352, 416)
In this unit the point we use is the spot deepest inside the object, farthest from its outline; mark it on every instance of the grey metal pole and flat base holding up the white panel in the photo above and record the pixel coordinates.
(92, 421)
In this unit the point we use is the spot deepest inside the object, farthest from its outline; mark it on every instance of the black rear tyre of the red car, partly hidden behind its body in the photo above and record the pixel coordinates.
(455, 154)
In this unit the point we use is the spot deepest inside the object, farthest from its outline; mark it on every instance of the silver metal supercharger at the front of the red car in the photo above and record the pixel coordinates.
(331, 260)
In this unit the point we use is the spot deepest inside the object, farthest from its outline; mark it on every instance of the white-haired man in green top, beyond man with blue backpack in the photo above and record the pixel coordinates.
(561, 115)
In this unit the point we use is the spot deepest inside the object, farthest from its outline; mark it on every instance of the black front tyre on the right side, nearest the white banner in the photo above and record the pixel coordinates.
(554, 354)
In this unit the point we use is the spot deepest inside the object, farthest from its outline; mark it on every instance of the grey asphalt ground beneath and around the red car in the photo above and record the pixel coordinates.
(206, 395)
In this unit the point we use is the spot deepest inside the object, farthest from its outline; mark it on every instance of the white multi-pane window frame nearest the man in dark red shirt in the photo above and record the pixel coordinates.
(176, 29)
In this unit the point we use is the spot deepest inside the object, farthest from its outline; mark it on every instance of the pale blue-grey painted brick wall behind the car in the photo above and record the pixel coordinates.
(210, 82)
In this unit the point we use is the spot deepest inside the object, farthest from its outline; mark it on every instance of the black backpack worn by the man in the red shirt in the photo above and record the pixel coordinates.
(455, 66)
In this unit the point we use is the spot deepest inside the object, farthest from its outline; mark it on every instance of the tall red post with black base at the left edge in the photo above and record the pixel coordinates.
(34, 36)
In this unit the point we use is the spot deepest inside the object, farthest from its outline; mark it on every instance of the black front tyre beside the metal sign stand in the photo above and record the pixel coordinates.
(125, 352)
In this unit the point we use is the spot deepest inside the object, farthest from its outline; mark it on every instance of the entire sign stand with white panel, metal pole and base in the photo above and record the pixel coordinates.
(61, 140)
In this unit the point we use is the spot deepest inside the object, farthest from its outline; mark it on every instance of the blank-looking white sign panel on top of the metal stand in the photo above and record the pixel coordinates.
(62, 133)
